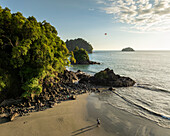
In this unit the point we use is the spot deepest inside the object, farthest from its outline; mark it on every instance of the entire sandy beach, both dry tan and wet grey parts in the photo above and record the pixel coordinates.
(78, 118)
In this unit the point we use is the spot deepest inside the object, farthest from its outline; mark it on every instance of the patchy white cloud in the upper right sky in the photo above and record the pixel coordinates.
(142, 15)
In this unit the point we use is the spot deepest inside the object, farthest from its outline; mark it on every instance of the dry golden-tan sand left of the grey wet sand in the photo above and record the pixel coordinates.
(69, 118)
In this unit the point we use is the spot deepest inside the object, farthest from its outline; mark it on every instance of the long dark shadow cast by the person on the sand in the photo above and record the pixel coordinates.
(83, 130)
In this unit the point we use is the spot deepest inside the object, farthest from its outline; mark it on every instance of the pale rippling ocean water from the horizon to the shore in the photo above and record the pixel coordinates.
(150, 96)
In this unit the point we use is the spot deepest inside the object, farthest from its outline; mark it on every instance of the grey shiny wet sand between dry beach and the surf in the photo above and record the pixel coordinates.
(117, 122)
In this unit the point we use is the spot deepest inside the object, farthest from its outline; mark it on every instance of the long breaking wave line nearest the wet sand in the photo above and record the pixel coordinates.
(139, 106)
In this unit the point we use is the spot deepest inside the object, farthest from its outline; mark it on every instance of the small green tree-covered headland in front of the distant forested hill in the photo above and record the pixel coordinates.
(81, 56)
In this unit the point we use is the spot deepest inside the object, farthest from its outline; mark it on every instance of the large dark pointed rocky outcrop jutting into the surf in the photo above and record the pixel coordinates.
(108, 78)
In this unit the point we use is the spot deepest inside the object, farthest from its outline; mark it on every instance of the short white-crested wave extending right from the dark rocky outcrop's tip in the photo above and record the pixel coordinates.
(152, 88)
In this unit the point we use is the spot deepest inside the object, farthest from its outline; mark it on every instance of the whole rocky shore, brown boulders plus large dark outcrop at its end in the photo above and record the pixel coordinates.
(66, 88)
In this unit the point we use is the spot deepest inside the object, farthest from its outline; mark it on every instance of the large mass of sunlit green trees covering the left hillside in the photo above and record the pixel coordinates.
(29, 50)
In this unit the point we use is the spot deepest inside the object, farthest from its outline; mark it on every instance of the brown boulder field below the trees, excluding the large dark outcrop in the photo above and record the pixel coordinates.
(51, 95)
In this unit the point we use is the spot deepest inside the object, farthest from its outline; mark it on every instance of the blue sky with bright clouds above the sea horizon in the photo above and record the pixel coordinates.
(140, 24)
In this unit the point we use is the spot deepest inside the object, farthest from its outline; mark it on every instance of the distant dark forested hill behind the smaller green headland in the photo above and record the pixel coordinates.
(81, 43)
